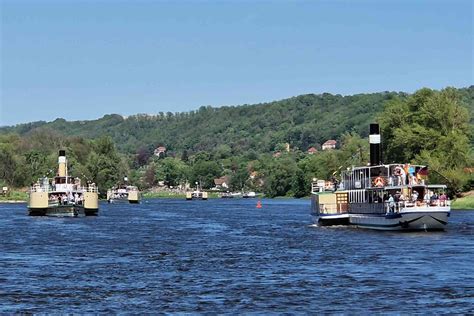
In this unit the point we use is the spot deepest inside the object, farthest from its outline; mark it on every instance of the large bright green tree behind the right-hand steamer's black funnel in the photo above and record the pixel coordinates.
(431, 128)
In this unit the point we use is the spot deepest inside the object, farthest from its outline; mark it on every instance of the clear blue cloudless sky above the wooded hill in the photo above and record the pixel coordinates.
(83, 59)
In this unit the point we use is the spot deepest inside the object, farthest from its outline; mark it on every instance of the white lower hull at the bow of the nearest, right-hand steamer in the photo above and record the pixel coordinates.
(419, 218)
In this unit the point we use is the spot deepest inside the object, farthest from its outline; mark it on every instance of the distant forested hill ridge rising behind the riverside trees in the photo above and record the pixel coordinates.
(303, 121)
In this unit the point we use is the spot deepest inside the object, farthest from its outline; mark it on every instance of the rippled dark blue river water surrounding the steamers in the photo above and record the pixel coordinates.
(227, 256)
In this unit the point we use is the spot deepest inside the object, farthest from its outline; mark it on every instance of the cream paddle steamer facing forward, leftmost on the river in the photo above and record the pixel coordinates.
(63, 195)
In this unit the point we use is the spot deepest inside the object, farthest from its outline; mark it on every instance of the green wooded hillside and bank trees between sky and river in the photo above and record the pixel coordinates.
(276, 148)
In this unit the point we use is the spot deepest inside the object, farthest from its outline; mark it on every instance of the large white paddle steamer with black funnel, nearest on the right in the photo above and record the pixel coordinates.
(383, 196)
